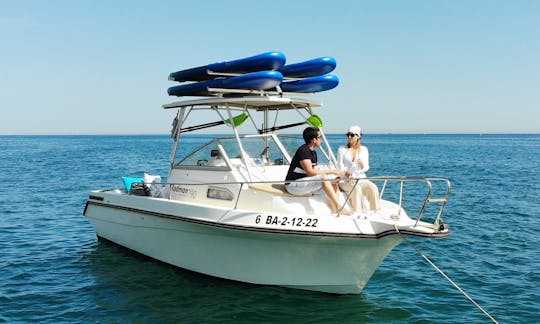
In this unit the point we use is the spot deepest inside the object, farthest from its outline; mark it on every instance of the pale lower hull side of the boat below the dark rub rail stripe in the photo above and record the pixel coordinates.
(308, 261)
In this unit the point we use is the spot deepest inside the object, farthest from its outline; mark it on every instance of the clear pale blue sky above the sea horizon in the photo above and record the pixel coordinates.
(101, 66)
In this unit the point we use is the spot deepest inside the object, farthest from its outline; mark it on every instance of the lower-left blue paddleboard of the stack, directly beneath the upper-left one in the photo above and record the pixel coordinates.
(252, 81)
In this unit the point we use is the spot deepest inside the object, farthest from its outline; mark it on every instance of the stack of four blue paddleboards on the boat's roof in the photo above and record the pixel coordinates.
(265, 72)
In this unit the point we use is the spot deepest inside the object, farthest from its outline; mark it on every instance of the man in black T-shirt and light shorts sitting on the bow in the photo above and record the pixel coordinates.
(304, 166)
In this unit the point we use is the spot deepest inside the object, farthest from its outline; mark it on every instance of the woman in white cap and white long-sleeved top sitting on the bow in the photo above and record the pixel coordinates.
(353, 159)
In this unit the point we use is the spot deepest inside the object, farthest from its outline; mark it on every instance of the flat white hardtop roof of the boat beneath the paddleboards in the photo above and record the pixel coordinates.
(258, 103)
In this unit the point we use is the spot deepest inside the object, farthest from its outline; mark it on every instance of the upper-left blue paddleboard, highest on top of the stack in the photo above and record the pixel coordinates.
(261, 62)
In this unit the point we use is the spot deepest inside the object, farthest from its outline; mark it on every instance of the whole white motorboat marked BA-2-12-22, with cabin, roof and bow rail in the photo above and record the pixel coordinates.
(223, 210)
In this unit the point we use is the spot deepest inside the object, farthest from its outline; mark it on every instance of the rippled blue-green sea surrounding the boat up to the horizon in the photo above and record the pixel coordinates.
(53, 269)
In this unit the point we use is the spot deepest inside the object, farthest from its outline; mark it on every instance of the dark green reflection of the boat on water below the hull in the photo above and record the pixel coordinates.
(130, 286)
